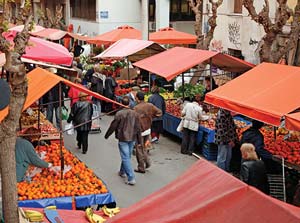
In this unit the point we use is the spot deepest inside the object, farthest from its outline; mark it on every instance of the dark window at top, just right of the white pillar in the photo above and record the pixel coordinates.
(181, 11)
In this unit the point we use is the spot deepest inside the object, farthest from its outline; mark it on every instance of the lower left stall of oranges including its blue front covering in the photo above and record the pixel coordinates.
(80, 187)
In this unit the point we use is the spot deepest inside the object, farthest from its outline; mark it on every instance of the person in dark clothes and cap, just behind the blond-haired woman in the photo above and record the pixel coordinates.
(254, 136)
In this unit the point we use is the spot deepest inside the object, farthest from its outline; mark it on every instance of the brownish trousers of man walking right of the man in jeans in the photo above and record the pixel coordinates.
(142, 155)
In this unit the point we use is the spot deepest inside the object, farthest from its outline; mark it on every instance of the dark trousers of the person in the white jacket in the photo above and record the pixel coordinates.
(188, 141)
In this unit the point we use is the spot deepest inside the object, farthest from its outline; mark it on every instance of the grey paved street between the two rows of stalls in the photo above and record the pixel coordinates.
(103, 157)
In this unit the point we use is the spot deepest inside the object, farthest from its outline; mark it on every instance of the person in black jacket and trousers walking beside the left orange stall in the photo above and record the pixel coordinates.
(81, 113)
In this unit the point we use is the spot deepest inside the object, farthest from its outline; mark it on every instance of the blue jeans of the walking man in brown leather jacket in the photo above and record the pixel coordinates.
(125, 149)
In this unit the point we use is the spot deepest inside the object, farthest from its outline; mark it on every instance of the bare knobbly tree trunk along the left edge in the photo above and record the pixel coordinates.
(9, 125)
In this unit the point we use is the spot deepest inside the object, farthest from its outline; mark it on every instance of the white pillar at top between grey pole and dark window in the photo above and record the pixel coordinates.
(162, 12)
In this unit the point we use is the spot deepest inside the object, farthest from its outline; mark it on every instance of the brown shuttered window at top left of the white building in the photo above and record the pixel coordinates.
(83, 9)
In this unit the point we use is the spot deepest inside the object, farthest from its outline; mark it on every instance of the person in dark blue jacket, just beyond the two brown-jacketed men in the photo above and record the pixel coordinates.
(157, 123)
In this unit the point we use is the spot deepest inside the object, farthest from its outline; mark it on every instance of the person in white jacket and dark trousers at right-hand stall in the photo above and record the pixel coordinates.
(191, 115)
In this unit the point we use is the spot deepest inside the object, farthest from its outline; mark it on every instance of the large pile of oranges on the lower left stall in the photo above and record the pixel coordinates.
(80, 180)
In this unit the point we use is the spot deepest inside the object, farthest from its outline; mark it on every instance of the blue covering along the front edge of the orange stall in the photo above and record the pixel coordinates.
(66, 202)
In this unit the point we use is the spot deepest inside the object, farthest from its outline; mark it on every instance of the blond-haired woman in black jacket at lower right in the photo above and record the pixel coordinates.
(253, 171)
